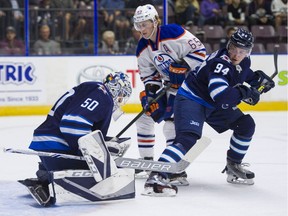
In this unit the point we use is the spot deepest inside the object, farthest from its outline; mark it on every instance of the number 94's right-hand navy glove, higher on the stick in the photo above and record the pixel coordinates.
(262, 80)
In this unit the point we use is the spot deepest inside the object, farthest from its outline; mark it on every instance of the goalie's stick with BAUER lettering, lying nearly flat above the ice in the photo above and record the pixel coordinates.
(131, 163)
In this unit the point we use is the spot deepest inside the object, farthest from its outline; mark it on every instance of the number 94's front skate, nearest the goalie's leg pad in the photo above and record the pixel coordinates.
(158, 186)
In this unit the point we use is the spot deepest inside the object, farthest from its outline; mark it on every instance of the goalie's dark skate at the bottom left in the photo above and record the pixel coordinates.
(38, 191)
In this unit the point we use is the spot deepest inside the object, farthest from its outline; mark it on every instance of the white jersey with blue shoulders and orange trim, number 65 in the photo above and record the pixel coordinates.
(173, 44)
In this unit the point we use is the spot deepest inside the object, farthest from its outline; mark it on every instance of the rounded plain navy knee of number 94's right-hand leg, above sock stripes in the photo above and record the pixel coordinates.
(244, 126)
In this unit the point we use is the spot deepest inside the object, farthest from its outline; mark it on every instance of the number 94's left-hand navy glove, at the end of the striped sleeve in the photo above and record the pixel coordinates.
(249, 95)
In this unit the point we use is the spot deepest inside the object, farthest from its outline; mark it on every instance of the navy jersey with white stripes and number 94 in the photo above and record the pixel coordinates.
(220, 75)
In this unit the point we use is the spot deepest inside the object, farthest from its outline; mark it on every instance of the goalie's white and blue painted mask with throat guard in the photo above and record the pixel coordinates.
(120, 88)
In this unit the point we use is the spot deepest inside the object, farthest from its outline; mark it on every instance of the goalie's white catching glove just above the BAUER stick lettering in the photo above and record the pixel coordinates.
(118, 146)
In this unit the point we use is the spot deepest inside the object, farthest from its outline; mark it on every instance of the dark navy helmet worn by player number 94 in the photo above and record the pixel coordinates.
(242, 39)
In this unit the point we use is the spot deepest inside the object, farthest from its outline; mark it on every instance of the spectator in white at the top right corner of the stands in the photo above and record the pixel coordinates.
(280, 10)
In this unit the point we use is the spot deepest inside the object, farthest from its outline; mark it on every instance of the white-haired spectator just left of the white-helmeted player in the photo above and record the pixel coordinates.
(109, 45)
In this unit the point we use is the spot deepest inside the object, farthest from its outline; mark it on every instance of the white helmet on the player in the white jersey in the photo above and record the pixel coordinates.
(145, 12)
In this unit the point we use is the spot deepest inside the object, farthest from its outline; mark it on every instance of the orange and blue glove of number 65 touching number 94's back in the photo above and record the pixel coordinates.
(177, 74)
